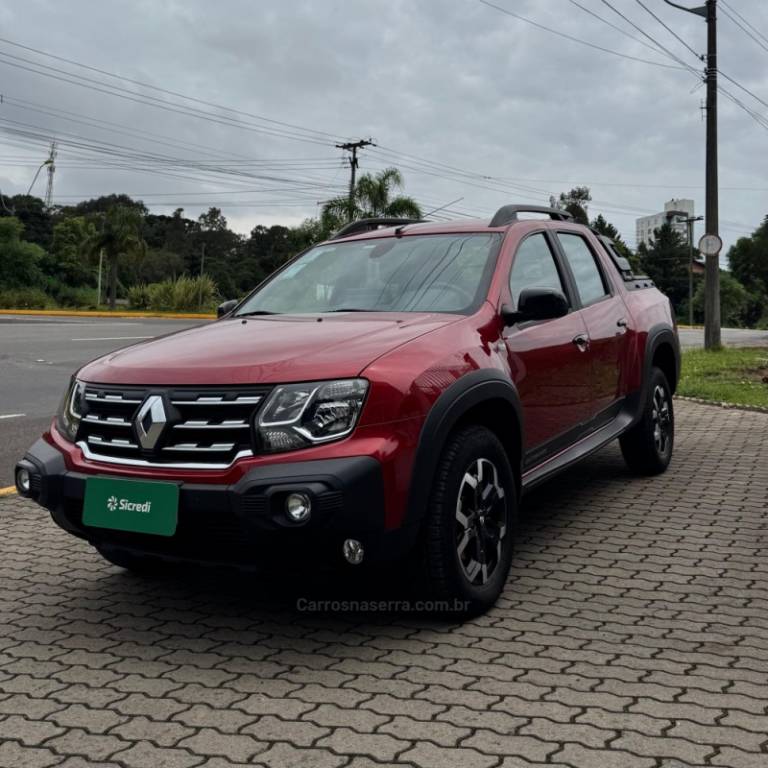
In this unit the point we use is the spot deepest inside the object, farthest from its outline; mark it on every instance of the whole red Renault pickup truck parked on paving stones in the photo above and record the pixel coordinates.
(388, 395)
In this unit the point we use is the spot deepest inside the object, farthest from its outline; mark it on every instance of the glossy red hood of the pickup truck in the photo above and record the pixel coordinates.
(269, 350)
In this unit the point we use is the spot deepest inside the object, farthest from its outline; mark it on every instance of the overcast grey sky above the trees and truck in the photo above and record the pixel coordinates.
(240, 103)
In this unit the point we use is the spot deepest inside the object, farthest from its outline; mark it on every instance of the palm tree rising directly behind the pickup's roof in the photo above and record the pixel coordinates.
(370, 198)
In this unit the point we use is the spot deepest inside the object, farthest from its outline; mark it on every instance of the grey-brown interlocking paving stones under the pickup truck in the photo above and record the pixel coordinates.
(633, 632)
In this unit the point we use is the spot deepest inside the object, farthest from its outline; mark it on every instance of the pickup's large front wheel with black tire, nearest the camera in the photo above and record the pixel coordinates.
(466, 550)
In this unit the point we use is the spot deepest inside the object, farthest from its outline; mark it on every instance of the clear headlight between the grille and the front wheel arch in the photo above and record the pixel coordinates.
(302, 415)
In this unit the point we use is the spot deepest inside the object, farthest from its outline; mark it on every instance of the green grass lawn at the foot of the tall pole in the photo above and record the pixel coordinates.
(731, 375)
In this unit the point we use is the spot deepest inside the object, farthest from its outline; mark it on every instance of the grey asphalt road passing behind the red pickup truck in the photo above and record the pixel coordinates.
(39, 354)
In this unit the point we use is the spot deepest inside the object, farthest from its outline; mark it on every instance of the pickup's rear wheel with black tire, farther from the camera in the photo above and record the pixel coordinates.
(647, 447)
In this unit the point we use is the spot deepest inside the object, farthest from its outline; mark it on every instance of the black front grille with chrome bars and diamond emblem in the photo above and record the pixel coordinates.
(201, 427)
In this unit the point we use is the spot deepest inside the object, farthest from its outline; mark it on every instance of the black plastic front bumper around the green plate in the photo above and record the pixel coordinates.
(242, 523)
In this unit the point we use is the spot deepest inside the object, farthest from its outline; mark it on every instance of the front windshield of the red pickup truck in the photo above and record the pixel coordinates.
(429, 273)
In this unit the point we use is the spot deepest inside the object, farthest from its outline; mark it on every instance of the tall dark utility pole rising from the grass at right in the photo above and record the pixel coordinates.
(712, 223)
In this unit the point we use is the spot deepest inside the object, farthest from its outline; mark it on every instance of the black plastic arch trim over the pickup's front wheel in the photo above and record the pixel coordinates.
(470, 390)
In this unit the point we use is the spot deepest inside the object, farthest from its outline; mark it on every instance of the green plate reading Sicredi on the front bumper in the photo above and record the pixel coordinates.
(131, 505)
